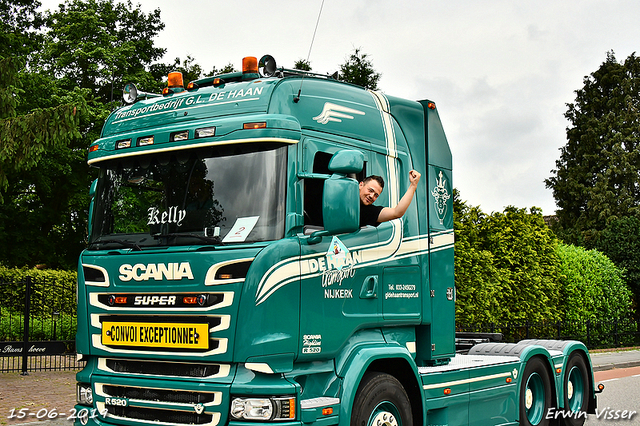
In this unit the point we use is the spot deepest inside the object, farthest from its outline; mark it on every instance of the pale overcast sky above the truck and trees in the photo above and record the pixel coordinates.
(501, 72)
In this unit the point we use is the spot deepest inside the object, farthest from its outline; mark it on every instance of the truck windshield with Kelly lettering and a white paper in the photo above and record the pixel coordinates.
(213, 195)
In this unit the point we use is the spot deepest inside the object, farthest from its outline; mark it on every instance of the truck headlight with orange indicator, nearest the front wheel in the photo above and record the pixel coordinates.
(275, 408)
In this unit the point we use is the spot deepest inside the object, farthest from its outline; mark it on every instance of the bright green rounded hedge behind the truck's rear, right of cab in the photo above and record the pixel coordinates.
(510, 267)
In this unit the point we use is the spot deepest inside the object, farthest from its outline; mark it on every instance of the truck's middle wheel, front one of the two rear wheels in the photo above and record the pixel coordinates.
(535, 394)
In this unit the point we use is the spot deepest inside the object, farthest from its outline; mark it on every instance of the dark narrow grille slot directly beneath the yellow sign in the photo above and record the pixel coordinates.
(162, 368)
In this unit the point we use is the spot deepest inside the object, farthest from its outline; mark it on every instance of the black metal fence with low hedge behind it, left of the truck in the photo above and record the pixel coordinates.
(38, 322)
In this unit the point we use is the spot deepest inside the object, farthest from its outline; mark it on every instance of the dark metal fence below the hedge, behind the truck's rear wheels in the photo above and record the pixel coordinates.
(595, 334)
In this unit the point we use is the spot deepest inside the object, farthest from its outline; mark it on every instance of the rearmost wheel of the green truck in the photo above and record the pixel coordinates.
(576, 395)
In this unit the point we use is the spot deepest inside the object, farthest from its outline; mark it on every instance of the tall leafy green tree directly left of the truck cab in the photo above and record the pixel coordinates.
(88, 49)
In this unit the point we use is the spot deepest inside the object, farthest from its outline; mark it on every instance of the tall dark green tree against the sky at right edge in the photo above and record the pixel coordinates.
(597, 178)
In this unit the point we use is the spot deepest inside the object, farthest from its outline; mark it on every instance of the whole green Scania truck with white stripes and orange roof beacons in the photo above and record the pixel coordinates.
(227, 280)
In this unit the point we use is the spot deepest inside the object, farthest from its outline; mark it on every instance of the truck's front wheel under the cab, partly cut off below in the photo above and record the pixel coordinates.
(382, 400)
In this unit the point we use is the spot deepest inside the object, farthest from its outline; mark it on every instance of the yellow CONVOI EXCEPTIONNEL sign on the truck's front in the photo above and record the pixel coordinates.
(156, 335)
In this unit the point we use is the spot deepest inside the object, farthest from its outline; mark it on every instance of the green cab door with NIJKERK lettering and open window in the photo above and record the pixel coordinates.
(340, 279)
